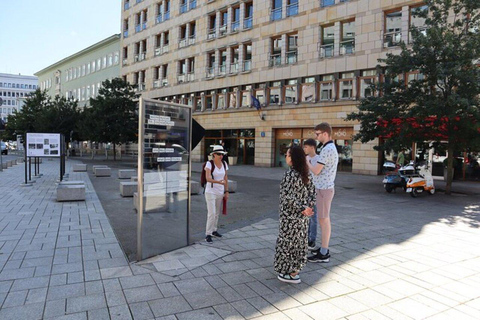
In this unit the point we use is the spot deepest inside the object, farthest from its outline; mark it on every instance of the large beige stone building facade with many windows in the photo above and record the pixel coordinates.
(305, 61)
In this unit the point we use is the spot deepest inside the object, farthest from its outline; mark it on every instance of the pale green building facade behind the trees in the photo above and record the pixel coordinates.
(80, 75)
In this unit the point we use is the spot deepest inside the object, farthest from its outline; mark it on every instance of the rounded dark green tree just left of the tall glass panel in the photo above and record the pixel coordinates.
(113, 116)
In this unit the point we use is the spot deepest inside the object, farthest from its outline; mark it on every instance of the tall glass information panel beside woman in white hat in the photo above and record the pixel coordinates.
(163, 177)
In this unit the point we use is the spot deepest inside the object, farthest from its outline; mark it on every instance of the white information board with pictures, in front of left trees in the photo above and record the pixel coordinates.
(43, 145)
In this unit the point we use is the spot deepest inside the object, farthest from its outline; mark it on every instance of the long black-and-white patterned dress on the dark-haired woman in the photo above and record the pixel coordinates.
(295, 196)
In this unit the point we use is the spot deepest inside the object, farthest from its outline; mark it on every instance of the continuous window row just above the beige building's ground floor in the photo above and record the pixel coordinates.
(344, 86)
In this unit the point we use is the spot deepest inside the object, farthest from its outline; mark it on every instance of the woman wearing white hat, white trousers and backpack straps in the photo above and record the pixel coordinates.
(215, 190)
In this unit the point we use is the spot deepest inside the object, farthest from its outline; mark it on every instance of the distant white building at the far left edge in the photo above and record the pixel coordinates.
(13, 91)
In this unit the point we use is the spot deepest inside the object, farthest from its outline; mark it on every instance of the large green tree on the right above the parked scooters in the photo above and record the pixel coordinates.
(442, 103)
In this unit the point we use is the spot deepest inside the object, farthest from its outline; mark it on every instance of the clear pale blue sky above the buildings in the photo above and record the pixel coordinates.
(37, 33)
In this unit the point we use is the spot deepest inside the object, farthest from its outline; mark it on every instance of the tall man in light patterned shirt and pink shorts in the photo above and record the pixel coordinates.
(326, 169)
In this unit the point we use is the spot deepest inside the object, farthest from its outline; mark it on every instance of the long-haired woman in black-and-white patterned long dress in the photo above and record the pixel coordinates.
(297, 198)
